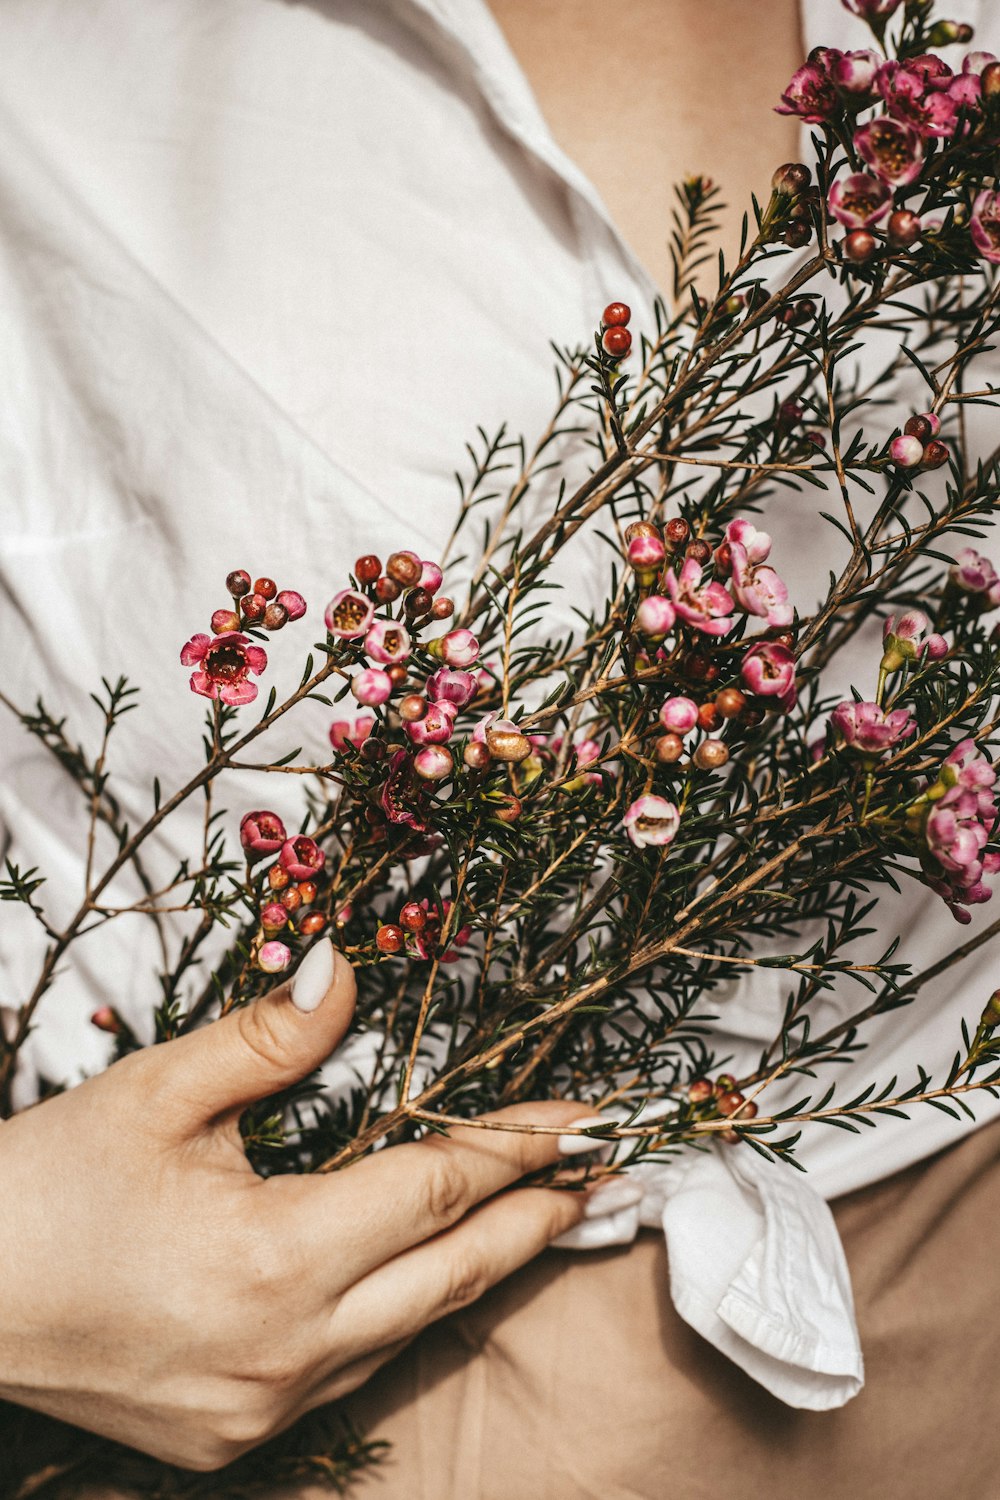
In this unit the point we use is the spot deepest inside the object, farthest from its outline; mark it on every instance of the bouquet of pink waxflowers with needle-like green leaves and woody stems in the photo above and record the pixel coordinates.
(543, 856)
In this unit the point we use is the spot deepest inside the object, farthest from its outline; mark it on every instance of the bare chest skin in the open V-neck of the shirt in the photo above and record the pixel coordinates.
(647, 92)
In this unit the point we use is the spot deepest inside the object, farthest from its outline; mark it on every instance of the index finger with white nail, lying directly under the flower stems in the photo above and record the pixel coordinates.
(398, 1198)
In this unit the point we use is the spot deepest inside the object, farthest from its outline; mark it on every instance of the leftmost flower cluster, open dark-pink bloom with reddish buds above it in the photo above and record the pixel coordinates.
(227, 661)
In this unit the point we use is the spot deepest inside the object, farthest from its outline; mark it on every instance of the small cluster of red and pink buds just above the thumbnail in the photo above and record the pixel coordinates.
(289, 887)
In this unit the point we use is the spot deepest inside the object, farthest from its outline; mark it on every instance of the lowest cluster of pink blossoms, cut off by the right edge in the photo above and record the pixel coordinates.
(953, 823)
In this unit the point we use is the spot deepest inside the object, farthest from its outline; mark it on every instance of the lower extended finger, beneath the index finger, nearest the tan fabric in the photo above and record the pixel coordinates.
(451, 1271)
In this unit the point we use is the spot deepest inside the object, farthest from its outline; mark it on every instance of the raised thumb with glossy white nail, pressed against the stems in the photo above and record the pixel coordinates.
(269, 1045)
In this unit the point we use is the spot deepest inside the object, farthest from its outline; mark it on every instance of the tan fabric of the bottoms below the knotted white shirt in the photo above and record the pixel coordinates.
(576, 1379)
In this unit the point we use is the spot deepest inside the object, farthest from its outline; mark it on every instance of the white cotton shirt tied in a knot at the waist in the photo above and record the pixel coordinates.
(265, 266)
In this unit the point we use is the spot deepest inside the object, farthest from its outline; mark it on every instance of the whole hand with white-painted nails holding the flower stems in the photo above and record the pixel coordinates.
(161, 1294)
